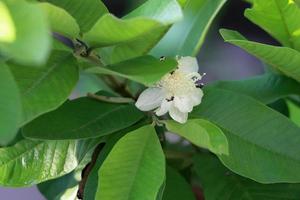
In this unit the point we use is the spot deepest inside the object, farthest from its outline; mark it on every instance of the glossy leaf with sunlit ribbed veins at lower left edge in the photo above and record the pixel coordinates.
(31, 162)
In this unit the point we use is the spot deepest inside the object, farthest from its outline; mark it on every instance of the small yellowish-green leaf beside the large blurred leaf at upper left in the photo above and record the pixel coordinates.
(60, 21)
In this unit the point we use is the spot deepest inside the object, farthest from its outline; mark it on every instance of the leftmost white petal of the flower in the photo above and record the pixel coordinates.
(150, 98)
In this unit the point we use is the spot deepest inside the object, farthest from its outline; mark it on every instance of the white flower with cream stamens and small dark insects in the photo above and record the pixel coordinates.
(177, 92)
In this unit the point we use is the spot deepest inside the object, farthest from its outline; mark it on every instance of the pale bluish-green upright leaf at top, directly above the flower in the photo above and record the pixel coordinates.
(185, 38)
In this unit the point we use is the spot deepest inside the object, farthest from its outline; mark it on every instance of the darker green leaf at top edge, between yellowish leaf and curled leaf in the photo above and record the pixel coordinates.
(86, 12)
